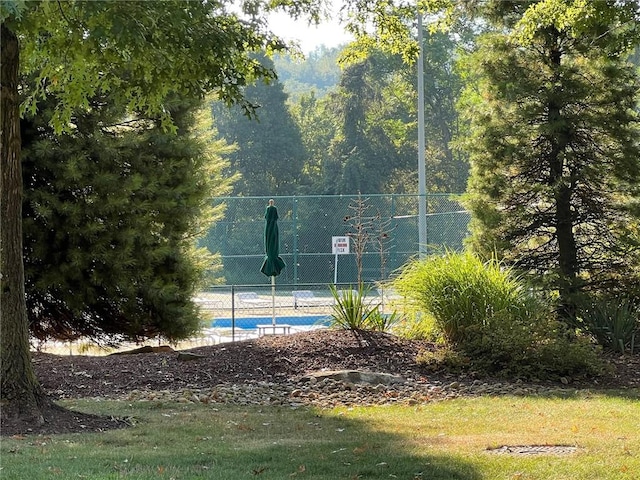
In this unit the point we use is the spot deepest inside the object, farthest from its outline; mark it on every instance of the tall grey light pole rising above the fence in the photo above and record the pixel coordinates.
(422, 184)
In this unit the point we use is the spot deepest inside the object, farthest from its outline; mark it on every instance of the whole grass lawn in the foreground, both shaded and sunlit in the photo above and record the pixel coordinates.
(445, 440)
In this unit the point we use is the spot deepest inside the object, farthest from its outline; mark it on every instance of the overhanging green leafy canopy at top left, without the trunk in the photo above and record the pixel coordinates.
(173, 46)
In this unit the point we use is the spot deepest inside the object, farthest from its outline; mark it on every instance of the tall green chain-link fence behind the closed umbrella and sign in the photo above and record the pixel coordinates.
(385, 226)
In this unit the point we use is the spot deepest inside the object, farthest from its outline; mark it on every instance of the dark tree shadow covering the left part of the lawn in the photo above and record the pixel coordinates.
(224, 442)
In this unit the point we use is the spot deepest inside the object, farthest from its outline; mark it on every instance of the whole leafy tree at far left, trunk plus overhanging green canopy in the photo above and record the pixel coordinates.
(78, 49)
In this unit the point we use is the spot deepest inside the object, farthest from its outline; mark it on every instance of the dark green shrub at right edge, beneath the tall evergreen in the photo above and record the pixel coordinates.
(613, 322)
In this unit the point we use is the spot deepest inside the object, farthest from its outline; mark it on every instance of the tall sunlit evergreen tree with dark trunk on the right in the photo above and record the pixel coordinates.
(554, 141)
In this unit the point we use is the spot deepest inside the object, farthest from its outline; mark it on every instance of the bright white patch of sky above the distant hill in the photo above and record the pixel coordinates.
(328, 33)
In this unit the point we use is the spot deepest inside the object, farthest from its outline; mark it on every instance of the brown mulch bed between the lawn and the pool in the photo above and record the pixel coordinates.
(270, 358)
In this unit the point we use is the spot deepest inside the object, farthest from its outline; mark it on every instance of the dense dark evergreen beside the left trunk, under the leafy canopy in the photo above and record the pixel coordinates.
(111, 214)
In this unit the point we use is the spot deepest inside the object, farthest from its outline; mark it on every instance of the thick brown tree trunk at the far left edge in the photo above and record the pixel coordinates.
(21, 396)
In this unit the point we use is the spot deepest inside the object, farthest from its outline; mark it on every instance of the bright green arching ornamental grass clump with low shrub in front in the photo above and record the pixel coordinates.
(485, 314)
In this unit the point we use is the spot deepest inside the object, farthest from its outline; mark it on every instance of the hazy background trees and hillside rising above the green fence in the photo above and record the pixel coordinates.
(357, 134)
